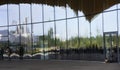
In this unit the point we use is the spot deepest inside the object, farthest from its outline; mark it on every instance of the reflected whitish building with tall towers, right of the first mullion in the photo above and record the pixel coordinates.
(20, 35)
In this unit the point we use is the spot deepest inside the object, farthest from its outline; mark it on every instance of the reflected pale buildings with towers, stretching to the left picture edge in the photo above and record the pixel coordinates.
(17, 36)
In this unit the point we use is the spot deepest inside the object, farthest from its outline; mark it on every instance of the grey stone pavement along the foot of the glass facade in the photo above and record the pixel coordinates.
(57, 65)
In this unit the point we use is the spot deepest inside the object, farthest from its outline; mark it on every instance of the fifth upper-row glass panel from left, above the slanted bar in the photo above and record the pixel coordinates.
(48, 13)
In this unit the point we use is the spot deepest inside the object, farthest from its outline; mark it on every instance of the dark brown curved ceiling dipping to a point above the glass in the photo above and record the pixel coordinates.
(90, 8)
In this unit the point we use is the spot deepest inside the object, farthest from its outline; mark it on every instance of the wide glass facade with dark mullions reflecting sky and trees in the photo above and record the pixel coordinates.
(52, 32)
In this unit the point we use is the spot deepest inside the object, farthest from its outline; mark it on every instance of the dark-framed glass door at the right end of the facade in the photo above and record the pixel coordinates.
(111, 46)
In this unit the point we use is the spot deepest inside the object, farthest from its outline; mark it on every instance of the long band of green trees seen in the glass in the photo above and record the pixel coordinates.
(74, 42)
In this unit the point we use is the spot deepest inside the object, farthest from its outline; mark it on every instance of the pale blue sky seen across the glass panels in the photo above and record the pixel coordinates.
(110, 20)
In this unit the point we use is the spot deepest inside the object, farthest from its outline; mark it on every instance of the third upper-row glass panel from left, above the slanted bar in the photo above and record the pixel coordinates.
(25, 13)
